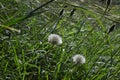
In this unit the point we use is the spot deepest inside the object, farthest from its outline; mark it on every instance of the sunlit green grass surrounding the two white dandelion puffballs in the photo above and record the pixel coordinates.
(29, 56)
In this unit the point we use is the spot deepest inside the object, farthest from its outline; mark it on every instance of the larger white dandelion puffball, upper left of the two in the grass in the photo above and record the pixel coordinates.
(55, 39)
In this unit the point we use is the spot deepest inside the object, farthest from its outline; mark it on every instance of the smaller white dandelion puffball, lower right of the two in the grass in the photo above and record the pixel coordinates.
(78, 59)
